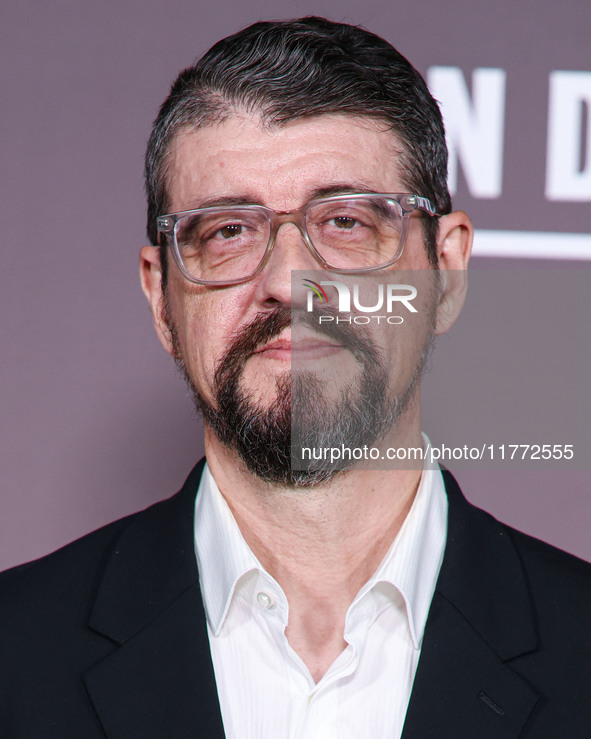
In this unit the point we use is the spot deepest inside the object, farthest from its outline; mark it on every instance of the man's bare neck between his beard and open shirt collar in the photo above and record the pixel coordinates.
(330, 523)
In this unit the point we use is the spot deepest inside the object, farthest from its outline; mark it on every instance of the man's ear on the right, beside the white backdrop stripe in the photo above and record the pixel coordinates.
(454, 246)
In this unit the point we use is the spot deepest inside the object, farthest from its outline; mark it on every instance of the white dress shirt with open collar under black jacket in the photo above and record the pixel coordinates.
(265, 689)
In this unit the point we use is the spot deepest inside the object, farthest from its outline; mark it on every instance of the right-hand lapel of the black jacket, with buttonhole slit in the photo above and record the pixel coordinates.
(480, 619)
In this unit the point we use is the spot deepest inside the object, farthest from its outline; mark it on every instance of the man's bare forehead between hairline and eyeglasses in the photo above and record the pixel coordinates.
(281, 166)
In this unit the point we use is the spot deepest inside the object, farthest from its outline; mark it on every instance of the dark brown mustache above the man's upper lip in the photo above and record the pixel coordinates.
(264, 327)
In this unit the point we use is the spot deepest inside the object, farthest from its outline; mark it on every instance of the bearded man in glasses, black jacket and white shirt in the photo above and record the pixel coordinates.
(270, 599)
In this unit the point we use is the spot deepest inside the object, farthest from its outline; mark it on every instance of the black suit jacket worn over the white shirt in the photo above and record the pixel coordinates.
(107, 636)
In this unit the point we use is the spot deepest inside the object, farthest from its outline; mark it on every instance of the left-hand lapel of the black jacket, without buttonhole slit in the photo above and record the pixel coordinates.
(159, 681)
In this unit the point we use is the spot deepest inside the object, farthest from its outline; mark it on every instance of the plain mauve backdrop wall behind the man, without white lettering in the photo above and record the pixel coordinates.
(95, 422)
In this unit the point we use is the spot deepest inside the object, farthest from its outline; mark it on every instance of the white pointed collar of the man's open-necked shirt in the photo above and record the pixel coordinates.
(411, 565)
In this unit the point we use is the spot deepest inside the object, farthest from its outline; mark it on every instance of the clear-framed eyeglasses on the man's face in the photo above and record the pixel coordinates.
(228, 245)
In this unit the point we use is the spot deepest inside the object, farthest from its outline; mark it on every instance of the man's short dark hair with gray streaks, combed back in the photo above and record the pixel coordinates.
(284, 70)
